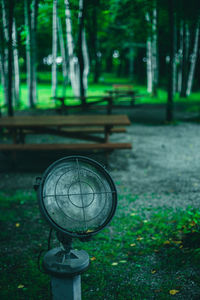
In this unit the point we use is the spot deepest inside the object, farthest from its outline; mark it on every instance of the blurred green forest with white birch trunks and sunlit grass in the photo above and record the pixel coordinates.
(54, 48)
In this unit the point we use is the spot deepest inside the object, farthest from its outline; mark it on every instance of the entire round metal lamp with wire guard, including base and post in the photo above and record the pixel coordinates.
(78, 198)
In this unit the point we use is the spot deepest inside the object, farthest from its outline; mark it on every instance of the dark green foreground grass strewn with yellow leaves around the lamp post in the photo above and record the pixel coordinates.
(147, 254)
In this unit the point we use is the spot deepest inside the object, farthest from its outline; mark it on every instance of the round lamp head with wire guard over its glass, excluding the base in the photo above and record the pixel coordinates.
(77, 196)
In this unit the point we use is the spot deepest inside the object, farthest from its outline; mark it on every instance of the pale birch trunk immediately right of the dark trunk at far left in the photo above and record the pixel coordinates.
(16, 66)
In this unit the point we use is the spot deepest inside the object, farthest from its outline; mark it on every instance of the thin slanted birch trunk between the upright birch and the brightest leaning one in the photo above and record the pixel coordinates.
(63, 54)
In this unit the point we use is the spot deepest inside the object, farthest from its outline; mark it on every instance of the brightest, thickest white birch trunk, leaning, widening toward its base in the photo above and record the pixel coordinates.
(73, 60)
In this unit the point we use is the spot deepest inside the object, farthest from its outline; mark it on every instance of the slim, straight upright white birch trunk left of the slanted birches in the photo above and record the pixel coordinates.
(54, 49)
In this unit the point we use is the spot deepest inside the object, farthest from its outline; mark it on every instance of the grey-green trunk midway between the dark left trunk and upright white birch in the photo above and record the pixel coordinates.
(27, 13)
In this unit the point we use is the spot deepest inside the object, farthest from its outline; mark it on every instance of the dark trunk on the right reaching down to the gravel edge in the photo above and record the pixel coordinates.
(169, 110)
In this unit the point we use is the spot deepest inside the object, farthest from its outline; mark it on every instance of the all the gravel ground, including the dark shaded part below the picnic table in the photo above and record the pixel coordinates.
(164, 161)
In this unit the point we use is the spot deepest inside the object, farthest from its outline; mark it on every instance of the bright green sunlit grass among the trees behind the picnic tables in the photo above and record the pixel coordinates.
(105, 83)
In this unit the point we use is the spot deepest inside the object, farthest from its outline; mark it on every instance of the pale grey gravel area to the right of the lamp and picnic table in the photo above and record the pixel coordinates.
(164, 162)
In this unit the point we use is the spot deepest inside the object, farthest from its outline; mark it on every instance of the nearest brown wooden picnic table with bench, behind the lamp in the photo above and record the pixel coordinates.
(73, 126)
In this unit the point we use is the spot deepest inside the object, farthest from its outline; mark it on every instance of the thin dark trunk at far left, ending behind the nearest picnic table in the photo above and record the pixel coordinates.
(10, 57)
